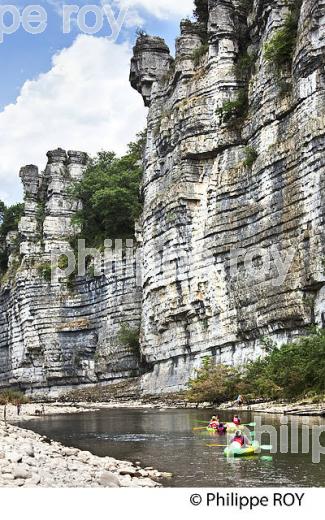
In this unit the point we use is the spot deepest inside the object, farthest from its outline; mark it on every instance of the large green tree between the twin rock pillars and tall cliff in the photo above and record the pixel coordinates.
(109, 192)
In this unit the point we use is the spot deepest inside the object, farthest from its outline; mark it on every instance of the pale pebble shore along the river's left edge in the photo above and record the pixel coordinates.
(28, 459)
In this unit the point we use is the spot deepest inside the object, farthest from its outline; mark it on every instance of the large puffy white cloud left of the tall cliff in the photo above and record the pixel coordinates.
(84, 103)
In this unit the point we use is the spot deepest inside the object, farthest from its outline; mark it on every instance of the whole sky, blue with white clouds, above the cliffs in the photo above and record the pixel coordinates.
(72, 90)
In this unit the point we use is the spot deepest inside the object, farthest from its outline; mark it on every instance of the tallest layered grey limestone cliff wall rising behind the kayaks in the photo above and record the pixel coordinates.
(233, 221)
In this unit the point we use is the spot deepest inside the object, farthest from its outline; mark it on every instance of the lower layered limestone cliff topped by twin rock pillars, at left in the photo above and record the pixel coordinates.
(55, 335)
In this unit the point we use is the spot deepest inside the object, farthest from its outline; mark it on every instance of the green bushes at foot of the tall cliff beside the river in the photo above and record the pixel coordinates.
(291, 371)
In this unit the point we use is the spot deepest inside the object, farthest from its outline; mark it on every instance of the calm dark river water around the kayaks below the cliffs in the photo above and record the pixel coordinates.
(165, 440)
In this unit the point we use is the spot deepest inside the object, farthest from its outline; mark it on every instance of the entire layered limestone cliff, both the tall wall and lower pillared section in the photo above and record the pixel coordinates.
(232, 232)
